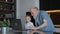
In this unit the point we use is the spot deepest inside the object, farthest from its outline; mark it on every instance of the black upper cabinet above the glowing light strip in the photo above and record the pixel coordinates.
(49, 4)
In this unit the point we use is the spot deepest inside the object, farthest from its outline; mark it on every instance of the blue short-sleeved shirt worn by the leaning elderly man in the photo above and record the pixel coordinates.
(41, 16)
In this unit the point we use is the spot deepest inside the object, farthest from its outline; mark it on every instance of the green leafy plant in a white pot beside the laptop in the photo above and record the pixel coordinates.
(4, 24)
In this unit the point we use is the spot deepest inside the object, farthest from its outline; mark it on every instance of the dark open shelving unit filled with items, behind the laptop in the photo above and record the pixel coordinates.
(8, 10)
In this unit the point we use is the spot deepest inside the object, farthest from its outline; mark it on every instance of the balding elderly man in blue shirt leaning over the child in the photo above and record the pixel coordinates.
(42, 19)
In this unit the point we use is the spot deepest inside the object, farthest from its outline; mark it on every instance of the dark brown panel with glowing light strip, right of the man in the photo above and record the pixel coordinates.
(55, 16)
